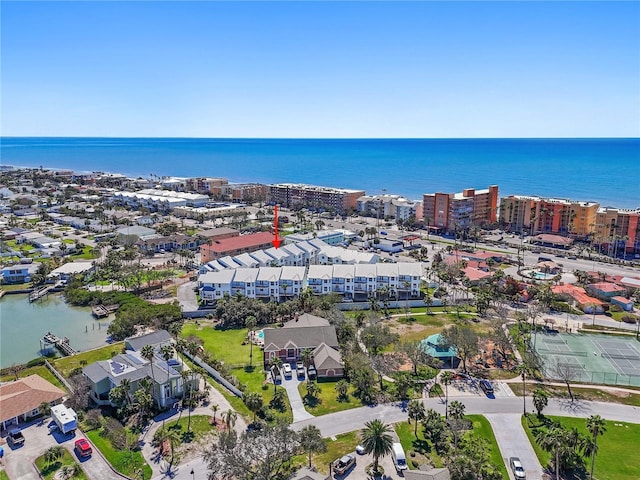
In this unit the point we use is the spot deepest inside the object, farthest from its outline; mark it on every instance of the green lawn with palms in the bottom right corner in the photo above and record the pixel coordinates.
(615, 459)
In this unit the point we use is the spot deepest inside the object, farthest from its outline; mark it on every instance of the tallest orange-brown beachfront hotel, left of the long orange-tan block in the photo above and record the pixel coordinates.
(451, 211)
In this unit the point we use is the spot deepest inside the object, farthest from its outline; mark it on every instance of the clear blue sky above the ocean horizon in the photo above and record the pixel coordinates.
(321, 69)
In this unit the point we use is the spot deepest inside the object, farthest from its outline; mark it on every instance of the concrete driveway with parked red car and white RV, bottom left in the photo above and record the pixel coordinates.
(19, 461)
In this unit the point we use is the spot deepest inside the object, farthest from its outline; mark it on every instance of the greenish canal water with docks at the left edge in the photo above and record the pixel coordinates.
(23, 324)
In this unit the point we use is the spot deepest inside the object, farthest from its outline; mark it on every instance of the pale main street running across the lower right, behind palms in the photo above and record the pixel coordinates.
(350, 420)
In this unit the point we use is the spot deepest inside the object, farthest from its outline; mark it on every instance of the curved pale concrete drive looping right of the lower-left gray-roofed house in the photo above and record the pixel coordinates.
(151, 454)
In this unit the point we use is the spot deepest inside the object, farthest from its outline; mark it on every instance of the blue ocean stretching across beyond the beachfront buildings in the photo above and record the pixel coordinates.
(602, 170)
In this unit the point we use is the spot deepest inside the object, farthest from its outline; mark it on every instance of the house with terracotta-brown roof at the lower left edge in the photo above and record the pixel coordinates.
(20, 400)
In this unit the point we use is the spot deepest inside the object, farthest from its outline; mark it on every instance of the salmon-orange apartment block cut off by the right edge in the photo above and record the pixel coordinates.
(617, 230)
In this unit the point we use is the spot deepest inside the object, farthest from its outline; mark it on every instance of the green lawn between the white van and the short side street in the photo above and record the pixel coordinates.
(481, 427)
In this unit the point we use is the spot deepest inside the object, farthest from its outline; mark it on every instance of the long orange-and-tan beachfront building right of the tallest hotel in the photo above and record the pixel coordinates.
(548, 215)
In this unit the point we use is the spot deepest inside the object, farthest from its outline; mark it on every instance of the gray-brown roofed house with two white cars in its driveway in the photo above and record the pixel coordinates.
(305, 332)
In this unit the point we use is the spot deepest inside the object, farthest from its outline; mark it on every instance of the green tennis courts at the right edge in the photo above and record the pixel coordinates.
(593, 358)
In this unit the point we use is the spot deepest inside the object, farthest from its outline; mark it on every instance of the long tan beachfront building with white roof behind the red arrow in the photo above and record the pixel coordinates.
(290, 195)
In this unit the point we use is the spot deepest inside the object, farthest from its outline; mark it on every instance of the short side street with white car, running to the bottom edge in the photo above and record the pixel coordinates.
(513, 442)
